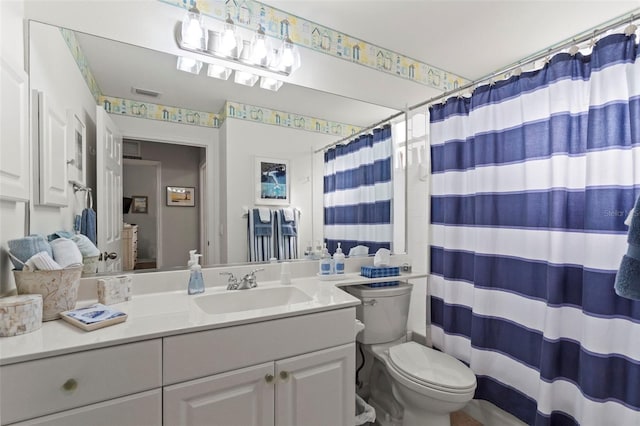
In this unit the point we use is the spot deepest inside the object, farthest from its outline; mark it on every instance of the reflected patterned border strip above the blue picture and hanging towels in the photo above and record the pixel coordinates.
(286, 119)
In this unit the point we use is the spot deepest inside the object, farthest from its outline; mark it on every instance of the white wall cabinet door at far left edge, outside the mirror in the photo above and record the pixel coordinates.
(14, 139)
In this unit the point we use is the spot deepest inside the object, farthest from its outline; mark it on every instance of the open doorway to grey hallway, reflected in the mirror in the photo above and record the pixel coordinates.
(166, 231)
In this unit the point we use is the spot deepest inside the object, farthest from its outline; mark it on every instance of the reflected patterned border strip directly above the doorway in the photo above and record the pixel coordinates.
(151, 111)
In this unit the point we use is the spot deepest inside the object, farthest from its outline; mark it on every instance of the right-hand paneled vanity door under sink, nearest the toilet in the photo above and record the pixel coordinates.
(317, 388)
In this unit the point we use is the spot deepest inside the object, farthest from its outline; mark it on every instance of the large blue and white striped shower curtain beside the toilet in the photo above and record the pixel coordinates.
(532, 179)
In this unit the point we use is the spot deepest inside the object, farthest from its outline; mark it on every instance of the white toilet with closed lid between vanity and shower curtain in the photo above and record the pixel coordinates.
(410, 384)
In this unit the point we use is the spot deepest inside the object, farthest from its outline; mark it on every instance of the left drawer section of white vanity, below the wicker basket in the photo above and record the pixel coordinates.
(88, 387)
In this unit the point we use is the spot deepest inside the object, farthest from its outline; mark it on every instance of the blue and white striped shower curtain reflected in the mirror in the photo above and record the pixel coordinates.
(357, 193)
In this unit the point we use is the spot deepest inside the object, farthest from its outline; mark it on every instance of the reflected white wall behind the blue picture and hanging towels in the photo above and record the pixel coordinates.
(244, 141)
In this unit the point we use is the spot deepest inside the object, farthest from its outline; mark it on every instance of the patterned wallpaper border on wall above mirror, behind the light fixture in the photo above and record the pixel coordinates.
(277, 23)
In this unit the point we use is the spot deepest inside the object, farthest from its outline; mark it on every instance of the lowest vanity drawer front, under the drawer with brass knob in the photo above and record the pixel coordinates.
(142, 409)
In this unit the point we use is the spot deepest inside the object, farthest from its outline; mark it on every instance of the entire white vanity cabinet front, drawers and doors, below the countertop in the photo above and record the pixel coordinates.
(292, 371)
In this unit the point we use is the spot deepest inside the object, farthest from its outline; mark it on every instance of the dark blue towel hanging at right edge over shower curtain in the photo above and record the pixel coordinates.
(627, 282)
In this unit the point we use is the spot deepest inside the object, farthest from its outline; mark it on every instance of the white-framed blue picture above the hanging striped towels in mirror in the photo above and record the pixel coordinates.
(272, 181)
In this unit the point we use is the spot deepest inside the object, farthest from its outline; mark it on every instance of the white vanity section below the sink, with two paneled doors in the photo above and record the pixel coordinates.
(284, 372)
